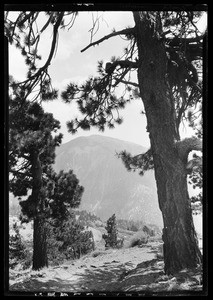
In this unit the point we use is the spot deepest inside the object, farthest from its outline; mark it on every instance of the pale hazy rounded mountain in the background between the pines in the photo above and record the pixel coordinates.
(108, 187)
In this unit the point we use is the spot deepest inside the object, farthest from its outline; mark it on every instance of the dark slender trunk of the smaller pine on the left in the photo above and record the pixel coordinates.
(39, 227)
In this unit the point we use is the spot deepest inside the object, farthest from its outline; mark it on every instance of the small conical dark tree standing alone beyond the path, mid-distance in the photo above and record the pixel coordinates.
(110, 238)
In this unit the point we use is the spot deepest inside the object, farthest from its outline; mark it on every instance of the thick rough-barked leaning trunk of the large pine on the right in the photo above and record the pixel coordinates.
(179, 236)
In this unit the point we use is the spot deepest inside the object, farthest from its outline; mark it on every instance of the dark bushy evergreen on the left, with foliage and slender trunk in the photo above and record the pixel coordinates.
(31, 153)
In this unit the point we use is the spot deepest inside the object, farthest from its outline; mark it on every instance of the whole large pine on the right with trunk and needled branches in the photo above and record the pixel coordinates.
(165, 49)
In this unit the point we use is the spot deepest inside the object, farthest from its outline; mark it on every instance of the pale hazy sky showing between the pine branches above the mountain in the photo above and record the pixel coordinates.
(69, 65)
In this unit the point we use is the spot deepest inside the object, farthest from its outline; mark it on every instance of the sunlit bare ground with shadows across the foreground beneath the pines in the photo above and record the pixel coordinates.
(123, 270)
